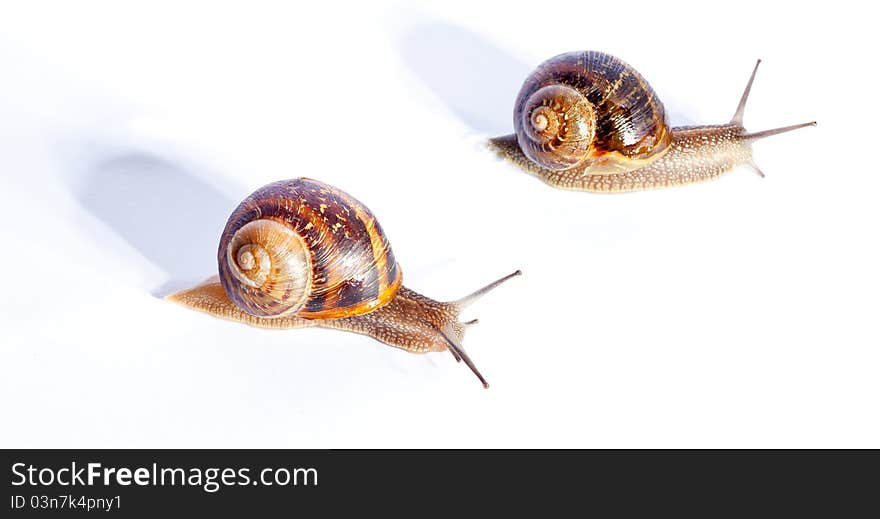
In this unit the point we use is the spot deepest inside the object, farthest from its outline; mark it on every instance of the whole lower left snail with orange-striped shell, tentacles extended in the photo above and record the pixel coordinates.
(300, 253)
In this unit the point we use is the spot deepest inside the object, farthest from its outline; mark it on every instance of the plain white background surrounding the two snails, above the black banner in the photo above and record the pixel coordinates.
(737, 313)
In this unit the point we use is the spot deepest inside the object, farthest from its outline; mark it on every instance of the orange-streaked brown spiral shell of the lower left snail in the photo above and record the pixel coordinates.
(301, 247)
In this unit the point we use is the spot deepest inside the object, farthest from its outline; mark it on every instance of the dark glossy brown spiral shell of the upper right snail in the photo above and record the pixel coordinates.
(590, 110)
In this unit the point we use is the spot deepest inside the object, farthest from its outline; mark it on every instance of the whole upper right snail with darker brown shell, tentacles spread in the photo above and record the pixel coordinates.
(588, 121)
